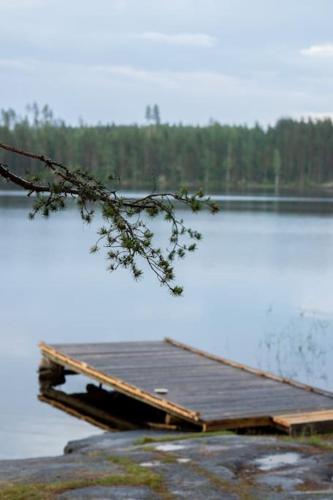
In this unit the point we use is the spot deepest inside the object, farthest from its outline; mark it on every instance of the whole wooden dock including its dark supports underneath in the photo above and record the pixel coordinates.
(174, 385)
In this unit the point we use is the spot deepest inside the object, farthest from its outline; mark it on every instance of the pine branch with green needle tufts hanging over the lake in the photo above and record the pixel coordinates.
(125, 240)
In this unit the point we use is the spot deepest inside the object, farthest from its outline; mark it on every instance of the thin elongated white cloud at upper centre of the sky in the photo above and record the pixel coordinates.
(184, 39)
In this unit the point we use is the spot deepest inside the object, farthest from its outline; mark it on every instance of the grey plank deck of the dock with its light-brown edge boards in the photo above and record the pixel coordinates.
(203, 389)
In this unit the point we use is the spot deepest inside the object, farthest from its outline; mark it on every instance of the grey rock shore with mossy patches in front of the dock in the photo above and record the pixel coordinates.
(150, 464)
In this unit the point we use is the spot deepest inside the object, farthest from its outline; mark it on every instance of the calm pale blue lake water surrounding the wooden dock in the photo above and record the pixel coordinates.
(258, 290)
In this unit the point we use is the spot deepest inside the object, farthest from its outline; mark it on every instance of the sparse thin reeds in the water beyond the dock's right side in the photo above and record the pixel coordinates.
(300, 350)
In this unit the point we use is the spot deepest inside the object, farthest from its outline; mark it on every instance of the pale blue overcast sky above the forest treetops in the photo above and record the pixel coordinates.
(235, 61)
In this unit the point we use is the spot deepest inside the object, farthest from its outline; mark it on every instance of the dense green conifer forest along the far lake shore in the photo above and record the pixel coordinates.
(215, 158)
